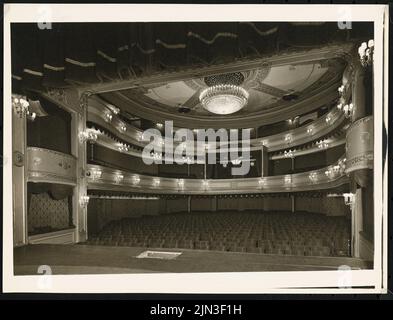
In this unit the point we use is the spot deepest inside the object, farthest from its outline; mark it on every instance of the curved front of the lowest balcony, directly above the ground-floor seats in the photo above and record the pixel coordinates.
(108, 180)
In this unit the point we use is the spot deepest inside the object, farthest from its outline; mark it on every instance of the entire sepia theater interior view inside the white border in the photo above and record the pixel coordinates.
(98, 109)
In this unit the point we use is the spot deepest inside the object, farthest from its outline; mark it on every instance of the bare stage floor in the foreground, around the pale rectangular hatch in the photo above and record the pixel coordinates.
(93, 259)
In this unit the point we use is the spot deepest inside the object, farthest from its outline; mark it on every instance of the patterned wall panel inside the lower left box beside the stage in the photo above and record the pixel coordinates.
(46, 214)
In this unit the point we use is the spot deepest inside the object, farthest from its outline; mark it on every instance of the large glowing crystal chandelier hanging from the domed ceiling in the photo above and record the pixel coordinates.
(224, 98)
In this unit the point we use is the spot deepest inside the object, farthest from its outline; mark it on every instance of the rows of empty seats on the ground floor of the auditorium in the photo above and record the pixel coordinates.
(300, 233)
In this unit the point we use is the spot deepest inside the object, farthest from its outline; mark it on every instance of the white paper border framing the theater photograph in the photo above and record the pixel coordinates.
(363, 281)
